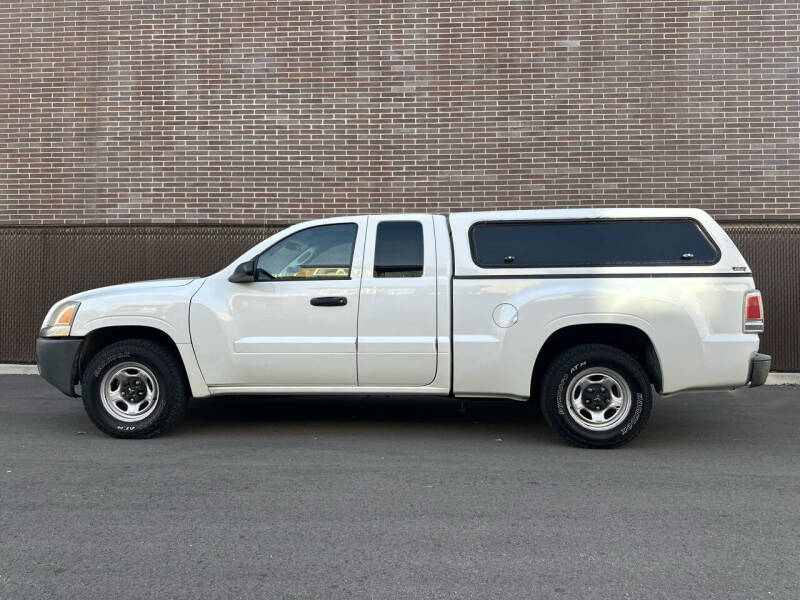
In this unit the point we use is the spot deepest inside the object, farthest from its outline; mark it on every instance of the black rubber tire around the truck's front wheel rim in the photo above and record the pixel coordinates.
(162, 364)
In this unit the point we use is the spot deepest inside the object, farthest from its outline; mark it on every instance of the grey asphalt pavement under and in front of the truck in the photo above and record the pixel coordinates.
(399, 498)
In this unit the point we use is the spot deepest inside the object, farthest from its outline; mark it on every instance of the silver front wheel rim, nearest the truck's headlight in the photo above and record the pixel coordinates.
(129, 392)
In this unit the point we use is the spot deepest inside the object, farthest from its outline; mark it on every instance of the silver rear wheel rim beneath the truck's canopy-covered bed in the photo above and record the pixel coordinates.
(598, 399)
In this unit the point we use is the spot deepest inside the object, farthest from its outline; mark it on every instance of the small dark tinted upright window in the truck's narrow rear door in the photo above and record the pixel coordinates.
(399, 249)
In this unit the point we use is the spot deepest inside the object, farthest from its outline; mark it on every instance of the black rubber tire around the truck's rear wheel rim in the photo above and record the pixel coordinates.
(574, 366)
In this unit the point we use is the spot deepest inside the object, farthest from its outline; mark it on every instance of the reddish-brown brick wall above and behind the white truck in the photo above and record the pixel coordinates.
(278, 111)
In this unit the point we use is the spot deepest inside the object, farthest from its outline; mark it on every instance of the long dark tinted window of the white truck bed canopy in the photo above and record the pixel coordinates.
(591, 243)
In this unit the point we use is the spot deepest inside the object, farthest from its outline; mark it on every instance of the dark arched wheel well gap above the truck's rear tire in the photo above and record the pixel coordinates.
(627, 338)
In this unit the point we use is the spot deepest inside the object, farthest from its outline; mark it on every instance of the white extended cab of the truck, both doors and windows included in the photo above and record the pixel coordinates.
(343, 305)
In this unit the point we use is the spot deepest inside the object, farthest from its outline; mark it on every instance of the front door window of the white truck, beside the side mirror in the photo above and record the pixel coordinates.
(322, 252)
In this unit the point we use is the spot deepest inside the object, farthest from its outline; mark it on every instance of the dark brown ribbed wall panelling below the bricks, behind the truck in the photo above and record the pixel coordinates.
(43, 264)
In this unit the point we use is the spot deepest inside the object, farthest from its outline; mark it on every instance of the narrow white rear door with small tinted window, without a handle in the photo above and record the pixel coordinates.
(397, 307)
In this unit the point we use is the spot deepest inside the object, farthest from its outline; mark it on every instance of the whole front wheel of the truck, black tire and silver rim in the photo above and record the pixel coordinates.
(134, 389)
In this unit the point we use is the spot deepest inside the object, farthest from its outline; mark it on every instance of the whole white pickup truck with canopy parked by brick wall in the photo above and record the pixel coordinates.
(585, 311)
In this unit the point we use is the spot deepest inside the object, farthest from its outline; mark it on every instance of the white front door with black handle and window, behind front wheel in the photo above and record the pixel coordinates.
(296, 324)
